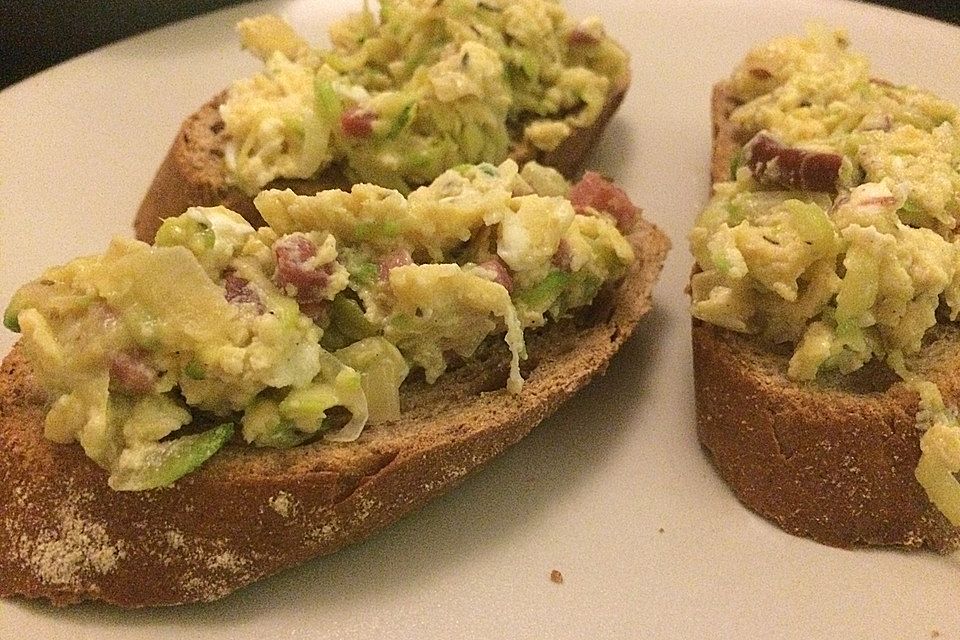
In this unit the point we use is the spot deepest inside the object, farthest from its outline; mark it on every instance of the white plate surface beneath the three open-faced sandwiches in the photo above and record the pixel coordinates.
(614, 491)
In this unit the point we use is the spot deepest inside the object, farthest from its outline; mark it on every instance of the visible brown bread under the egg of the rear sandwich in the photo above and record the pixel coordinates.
(192, 173)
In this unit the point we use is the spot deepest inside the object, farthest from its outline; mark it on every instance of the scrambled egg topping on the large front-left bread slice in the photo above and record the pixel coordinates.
(306, 328)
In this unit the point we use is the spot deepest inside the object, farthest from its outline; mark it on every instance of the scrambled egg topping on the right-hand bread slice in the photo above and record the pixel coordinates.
(837, 231)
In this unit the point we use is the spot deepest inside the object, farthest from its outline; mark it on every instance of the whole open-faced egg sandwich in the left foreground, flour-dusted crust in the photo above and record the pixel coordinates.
(181, 419)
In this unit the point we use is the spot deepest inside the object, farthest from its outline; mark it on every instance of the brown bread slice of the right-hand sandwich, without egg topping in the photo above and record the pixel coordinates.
(832, 460)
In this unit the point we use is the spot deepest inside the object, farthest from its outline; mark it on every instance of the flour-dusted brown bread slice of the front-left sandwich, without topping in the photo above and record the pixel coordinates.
(248, 513)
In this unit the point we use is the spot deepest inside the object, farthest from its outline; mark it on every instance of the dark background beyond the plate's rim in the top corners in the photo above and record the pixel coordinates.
(35, 34)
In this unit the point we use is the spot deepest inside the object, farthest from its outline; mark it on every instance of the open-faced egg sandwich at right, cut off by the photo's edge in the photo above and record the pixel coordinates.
(825, 294)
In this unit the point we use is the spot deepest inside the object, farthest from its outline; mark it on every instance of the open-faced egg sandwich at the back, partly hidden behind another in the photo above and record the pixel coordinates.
(398, 98)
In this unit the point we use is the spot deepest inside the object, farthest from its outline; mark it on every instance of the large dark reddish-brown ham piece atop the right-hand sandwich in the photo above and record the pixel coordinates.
(772, 162)
